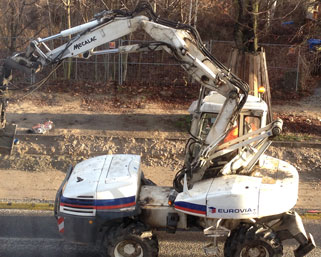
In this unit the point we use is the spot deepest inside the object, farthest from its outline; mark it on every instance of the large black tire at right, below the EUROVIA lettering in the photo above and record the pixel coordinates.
(252, 241)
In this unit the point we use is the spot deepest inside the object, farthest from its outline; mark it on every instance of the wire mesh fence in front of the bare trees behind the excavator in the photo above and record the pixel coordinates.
(285, 66)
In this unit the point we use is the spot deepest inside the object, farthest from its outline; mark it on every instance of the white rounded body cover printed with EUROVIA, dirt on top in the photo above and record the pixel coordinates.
(271, 189)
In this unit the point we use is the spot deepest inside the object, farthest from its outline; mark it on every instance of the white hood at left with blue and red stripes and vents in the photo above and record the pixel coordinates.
(102, 185)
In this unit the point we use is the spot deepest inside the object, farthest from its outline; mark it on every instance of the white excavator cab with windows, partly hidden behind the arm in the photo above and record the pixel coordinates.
(205, 112)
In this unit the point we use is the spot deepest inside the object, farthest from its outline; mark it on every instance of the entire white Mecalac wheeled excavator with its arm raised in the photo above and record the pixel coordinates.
(228, 187)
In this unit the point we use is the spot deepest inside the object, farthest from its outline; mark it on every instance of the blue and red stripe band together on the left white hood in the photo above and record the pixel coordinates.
(98, 204)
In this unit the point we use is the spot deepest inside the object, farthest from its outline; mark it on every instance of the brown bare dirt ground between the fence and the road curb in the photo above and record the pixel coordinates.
(105, 124)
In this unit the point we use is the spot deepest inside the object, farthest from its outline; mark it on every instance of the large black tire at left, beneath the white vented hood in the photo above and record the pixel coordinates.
(127, 241)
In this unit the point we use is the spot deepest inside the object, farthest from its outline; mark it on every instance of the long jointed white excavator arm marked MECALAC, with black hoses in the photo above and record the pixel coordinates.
(180, 40)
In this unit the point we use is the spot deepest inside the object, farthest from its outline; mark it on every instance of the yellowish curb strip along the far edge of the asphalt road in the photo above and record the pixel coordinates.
(49, 206)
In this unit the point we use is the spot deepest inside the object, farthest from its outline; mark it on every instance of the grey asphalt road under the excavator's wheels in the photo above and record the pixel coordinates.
(34, 234)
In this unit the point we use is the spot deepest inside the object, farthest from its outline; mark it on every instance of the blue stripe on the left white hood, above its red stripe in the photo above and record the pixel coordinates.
(109, 202)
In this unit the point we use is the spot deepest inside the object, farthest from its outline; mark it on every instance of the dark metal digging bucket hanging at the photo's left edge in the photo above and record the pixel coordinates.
(7, 135)
